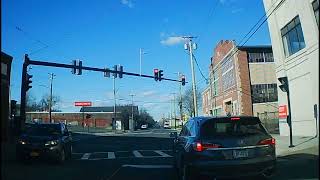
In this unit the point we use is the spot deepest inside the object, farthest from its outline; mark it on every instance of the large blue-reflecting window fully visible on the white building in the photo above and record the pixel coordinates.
(292, 37)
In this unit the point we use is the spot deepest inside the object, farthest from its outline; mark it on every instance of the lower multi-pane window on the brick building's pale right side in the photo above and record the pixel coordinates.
(264, 93)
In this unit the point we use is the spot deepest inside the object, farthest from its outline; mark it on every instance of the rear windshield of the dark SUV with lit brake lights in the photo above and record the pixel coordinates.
(227, 127)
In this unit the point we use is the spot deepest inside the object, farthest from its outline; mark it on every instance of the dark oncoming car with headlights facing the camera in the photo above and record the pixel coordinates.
(47, 141)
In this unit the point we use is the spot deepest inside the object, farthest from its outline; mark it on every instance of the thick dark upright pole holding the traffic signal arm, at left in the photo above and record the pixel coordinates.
(21, 123)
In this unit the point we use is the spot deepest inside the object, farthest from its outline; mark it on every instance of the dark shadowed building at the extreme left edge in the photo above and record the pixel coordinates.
(6, 61)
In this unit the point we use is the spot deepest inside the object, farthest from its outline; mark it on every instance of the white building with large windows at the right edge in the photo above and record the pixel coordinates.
(294, 32)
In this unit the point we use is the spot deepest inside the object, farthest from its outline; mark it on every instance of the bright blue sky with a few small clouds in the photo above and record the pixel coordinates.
(104, 33)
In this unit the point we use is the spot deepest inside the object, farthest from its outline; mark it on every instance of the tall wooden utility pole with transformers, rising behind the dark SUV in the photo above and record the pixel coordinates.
(189, 46)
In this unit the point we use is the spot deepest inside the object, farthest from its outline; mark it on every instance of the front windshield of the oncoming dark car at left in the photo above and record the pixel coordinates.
(43, 130)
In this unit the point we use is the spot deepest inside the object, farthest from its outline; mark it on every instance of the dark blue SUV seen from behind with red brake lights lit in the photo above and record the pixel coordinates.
(224, 147)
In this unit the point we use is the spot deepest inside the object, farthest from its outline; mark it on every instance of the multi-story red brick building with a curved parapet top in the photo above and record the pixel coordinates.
(243, 81)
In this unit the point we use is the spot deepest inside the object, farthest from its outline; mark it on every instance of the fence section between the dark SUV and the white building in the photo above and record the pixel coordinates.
(270, 121)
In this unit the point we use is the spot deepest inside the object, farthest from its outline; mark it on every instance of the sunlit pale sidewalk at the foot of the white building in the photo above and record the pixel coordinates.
(300, 143)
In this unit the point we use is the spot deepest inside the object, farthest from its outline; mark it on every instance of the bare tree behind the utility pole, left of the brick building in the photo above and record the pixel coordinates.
(187, 102)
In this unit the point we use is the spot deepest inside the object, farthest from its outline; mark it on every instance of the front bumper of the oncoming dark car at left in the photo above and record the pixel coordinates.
(52, 152)
